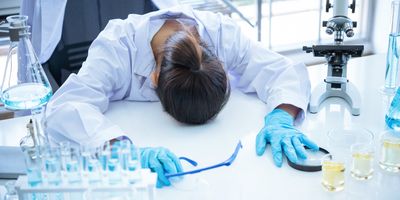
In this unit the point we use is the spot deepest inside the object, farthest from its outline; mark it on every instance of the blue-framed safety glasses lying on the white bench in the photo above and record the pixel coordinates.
(227, 162)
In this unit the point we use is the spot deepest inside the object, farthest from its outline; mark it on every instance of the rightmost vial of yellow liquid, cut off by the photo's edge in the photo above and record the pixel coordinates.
(390, 151)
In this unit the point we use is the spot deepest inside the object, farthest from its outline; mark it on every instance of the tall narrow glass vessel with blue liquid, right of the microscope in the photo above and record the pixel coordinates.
(392, 59)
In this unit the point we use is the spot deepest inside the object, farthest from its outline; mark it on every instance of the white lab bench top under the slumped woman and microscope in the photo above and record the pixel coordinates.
(250, 176)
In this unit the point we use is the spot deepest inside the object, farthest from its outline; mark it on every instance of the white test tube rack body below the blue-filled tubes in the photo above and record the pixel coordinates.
(143, 189)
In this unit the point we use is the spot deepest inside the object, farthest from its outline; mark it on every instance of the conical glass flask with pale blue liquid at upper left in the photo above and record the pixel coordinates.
(24, 84)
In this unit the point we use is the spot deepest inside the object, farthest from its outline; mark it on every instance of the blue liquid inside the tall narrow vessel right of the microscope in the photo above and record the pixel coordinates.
(392, 62)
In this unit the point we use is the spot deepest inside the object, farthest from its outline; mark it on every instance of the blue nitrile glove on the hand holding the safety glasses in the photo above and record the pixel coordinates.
(161, 161)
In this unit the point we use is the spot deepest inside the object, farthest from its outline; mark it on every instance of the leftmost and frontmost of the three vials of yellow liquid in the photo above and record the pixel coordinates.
(332, 173)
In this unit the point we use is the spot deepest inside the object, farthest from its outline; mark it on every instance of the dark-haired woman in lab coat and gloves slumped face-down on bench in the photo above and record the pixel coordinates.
(181, 57)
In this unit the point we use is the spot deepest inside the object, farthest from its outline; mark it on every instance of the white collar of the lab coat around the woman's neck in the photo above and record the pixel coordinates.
(145, 61)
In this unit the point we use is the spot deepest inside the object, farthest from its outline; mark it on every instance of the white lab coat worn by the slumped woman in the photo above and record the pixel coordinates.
(120, 62)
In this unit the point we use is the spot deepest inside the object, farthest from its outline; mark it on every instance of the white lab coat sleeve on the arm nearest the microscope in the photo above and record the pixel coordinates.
(275, 78)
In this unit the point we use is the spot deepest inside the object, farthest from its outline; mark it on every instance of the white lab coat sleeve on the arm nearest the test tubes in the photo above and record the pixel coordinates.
(76, 110)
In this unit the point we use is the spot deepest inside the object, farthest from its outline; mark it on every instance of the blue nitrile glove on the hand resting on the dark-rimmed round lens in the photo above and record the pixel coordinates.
(281, 134)
